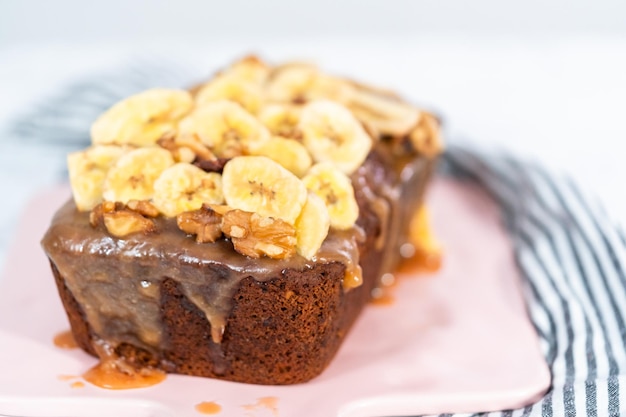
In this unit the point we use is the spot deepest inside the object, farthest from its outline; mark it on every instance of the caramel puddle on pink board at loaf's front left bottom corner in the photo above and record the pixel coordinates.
(114, 373)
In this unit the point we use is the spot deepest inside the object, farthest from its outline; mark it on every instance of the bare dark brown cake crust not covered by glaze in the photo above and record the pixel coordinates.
(282, 331)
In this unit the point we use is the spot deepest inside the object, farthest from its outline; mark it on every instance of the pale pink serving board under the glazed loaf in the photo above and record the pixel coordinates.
(455, 341)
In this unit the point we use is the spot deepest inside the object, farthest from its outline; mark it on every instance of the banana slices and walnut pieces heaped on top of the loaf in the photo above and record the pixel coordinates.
(258, 155)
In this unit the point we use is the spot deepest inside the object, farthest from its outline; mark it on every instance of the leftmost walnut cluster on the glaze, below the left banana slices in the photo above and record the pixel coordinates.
(120, 220)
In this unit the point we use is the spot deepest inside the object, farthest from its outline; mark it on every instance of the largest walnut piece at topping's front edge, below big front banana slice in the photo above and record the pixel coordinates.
(254, 235)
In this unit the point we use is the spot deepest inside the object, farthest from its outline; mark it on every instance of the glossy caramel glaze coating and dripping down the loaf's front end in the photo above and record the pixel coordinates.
(121, 300)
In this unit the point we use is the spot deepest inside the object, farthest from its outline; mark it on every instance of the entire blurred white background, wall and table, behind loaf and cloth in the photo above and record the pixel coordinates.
(545, 79)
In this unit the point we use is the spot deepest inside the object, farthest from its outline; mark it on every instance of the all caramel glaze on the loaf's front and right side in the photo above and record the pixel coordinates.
(117, 282)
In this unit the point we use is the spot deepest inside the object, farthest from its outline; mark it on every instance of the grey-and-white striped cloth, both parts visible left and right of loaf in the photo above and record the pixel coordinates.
(571, 255)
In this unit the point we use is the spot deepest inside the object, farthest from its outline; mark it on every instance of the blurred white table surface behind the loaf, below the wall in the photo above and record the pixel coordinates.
(560, 100)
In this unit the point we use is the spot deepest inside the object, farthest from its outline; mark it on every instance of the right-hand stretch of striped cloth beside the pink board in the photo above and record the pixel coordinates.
(573, 259)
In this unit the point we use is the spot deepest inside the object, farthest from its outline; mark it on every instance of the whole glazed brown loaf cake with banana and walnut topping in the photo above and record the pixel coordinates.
(193, 262)
